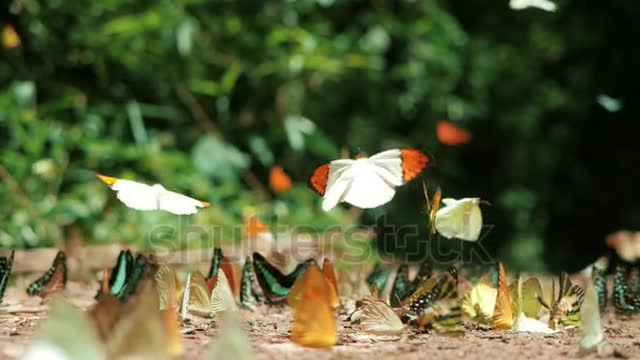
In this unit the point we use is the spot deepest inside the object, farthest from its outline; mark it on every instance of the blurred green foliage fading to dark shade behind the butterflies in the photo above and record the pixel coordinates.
(205, 96)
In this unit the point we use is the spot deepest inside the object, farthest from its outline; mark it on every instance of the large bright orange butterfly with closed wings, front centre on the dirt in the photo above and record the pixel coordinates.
(314, 323)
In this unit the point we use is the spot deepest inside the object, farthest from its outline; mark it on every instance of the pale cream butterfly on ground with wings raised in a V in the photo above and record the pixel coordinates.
(205, 303)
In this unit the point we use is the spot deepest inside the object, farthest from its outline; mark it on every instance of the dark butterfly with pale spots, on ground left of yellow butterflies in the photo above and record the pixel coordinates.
(437, 304)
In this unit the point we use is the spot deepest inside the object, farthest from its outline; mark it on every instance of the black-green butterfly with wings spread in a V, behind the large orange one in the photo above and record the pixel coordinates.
(274, 284)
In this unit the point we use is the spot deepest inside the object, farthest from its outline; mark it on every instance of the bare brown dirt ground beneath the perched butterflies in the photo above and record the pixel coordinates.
(269, 330)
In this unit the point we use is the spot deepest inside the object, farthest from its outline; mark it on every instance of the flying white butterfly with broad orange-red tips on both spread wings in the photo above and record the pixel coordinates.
(367, 182)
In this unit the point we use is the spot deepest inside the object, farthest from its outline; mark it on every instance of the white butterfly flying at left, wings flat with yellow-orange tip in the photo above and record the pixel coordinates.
(152, 197)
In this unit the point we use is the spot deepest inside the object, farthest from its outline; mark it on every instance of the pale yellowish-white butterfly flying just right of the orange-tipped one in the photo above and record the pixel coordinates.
(460, 219)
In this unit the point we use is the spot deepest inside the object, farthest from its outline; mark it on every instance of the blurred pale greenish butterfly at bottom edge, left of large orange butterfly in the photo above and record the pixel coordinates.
(232, 341)
